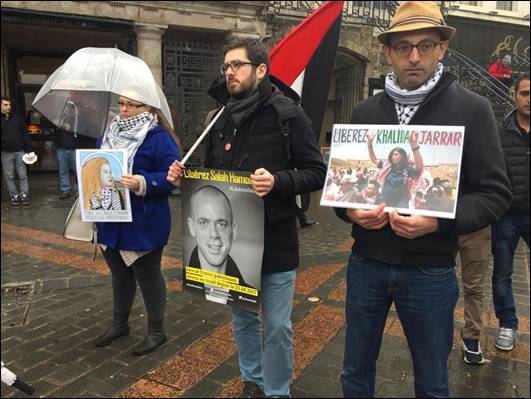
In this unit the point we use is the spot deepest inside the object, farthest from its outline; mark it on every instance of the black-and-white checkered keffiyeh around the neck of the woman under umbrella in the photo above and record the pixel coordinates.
(129, 134)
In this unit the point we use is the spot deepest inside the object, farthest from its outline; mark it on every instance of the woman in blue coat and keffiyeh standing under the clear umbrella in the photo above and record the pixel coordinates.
(133, 250)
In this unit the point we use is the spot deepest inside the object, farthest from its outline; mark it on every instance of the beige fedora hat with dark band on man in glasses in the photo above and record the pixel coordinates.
(417, 15)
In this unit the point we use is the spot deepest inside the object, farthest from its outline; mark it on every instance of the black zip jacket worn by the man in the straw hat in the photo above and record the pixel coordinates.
(484, 192)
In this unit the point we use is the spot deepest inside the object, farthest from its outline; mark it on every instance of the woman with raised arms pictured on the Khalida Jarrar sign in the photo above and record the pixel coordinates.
(397, 172)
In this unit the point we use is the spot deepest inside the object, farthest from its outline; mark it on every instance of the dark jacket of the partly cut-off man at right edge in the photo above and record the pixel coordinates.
(515, 144)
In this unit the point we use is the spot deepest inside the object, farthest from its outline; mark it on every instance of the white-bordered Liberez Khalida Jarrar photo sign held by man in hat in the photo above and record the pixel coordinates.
(413, 169)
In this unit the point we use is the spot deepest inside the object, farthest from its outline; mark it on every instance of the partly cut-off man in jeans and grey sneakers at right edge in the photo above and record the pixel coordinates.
(506, 233)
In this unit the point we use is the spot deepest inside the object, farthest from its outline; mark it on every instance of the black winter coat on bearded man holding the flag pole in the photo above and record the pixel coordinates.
(258, 143)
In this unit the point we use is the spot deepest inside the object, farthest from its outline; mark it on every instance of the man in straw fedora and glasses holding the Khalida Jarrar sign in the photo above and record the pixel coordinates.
(409, 260)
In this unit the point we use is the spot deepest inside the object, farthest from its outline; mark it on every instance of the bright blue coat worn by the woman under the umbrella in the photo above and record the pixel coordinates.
(151, 223)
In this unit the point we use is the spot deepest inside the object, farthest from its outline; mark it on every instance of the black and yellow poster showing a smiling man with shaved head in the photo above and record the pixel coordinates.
(223, 236)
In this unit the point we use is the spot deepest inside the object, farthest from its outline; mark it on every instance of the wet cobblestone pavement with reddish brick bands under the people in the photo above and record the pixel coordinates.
(56, 300)
